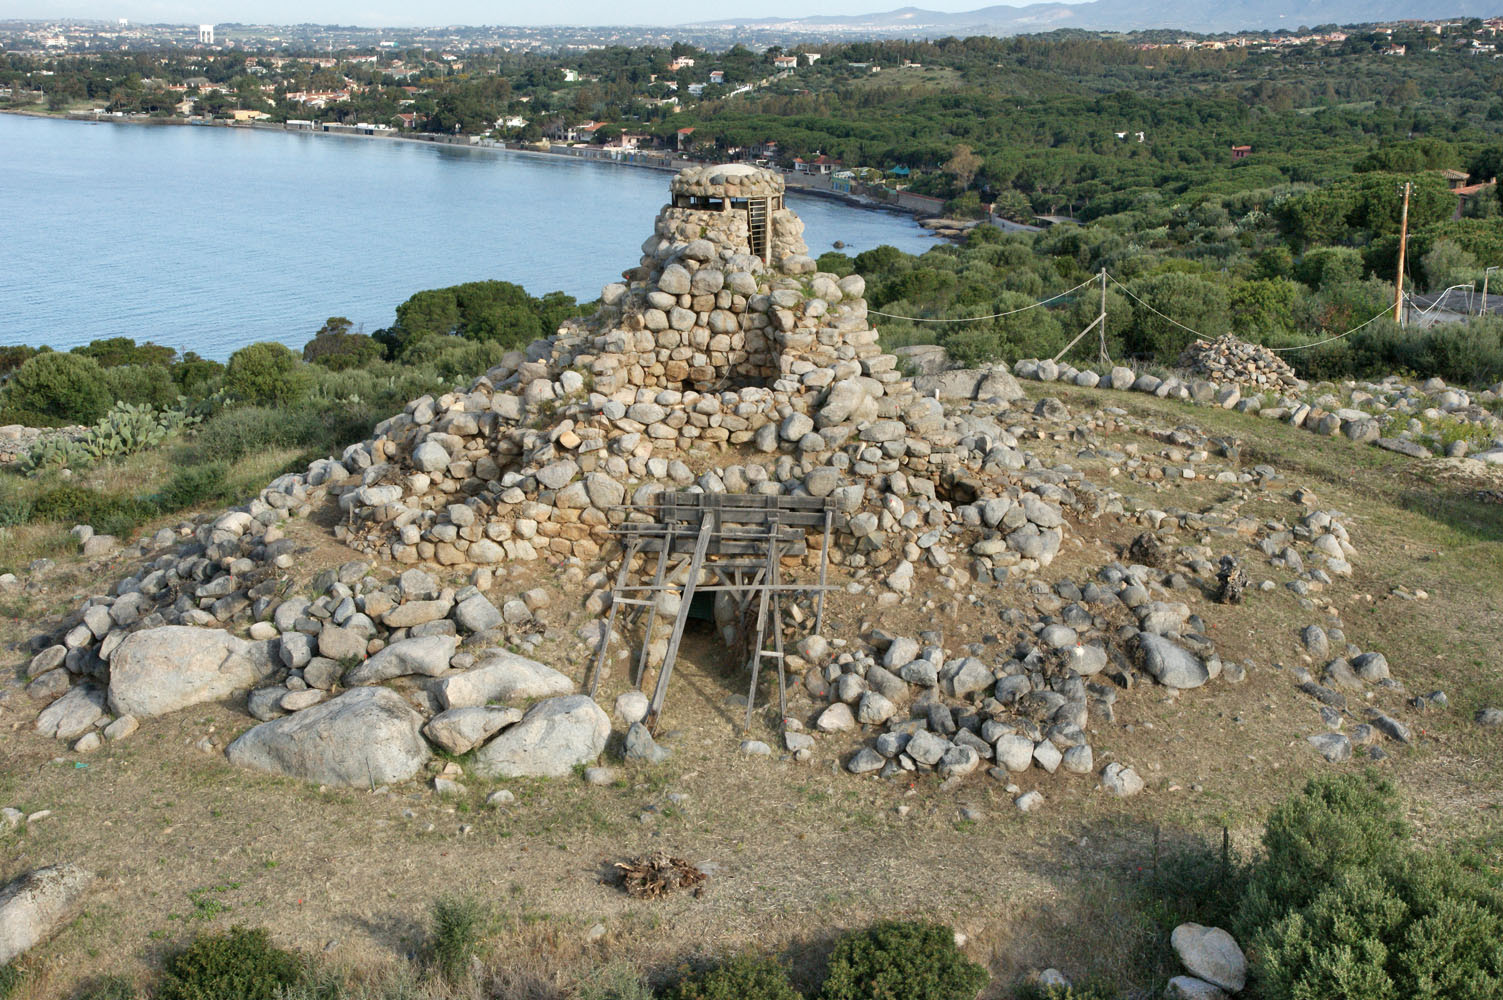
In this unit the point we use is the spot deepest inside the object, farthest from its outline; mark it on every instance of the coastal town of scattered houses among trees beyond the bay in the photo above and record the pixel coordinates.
(593, 102)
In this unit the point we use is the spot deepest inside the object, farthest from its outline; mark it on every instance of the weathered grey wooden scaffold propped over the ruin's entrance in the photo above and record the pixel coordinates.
(731, 544)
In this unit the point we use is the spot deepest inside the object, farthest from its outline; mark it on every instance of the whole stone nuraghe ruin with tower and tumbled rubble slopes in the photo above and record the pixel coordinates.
(722, 363)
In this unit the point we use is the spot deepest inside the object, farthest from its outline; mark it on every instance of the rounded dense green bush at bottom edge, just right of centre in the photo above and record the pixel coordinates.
(903, 962)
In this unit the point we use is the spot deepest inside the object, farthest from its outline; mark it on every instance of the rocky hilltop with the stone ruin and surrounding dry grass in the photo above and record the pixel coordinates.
(1078, 623)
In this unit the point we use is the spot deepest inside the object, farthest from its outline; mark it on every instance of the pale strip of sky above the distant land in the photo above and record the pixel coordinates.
(407, 14)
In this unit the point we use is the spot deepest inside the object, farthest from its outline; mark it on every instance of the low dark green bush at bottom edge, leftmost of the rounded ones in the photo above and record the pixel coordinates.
(241, 965)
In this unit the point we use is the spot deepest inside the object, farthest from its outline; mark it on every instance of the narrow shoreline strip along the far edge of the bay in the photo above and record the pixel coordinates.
(486, 147)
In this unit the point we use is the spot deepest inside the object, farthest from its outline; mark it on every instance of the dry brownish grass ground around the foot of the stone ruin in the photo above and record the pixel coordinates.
(186, 843)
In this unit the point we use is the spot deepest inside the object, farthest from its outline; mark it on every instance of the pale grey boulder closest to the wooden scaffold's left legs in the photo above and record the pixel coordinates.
(551, 741)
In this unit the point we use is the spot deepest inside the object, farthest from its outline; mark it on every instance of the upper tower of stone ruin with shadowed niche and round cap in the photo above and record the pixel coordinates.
(727, 297)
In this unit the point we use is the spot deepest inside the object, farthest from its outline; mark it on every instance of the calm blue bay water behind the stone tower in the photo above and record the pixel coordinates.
(208, 238)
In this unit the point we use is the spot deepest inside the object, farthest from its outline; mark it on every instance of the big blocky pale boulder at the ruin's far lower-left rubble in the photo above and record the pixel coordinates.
(163, 670)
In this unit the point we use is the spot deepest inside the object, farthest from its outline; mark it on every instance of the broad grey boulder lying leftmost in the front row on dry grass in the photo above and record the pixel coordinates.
(363, 739)
